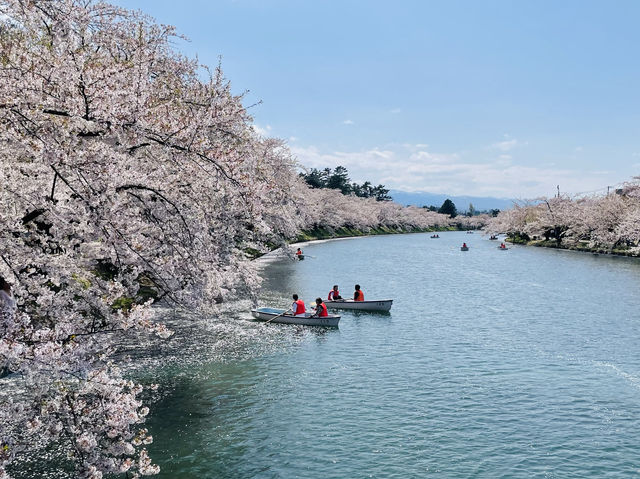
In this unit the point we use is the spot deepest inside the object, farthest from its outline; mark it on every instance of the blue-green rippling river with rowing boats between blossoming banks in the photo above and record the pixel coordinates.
(518, 364)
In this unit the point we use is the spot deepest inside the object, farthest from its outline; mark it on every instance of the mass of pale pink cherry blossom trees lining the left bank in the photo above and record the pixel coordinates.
(130, 175)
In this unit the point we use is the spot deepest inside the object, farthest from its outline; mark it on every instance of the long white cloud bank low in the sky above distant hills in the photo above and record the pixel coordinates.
(407, 169)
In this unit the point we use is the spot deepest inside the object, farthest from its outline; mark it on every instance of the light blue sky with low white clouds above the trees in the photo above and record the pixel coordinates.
(485, 98)
